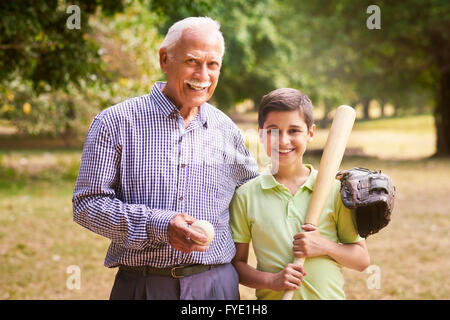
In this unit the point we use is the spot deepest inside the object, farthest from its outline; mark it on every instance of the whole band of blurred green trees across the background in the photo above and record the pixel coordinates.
(53, 80)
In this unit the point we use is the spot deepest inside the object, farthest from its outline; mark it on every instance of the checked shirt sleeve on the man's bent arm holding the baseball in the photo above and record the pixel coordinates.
(97, 205)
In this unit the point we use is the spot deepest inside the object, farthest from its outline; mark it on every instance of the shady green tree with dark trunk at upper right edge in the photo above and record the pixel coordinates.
(410, 52)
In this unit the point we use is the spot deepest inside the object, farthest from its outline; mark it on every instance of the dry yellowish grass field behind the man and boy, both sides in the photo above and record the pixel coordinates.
(39, 240)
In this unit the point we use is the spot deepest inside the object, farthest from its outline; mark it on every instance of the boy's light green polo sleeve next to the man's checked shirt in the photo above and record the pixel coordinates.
(239, 222)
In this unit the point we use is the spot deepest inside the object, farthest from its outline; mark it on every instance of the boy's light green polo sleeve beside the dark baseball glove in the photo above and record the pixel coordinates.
(345, 221)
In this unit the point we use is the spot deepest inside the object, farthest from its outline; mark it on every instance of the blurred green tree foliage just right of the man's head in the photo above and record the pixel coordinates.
(254, 50)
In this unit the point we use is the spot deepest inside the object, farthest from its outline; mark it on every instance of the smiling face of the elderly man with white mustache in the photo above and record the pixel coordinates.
(192, 68)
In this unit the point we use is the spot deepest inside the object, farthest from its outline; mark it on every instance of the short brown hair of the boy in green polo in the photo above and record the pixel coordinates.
(286, 99)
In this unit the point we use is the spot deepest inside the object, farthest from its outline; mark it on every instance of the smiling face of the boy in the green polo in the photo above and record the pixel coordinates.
(287, 137)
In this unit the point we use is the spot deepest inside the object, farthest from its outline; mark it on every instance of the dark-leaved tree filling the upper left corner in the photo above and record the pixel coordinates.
(42, 58)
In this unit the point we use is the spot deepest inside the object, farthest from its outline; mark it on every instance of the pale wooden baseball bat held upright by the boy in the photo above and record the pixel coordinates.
(329, 164)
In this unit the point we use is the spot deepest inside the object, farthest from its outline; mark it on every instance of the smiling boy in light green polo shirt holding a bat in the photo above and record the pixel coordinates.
(270, 211)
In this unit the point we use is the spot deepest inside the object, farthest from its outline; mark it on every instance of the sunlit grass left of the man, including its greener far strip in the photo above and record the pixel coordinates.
(38, 238)
